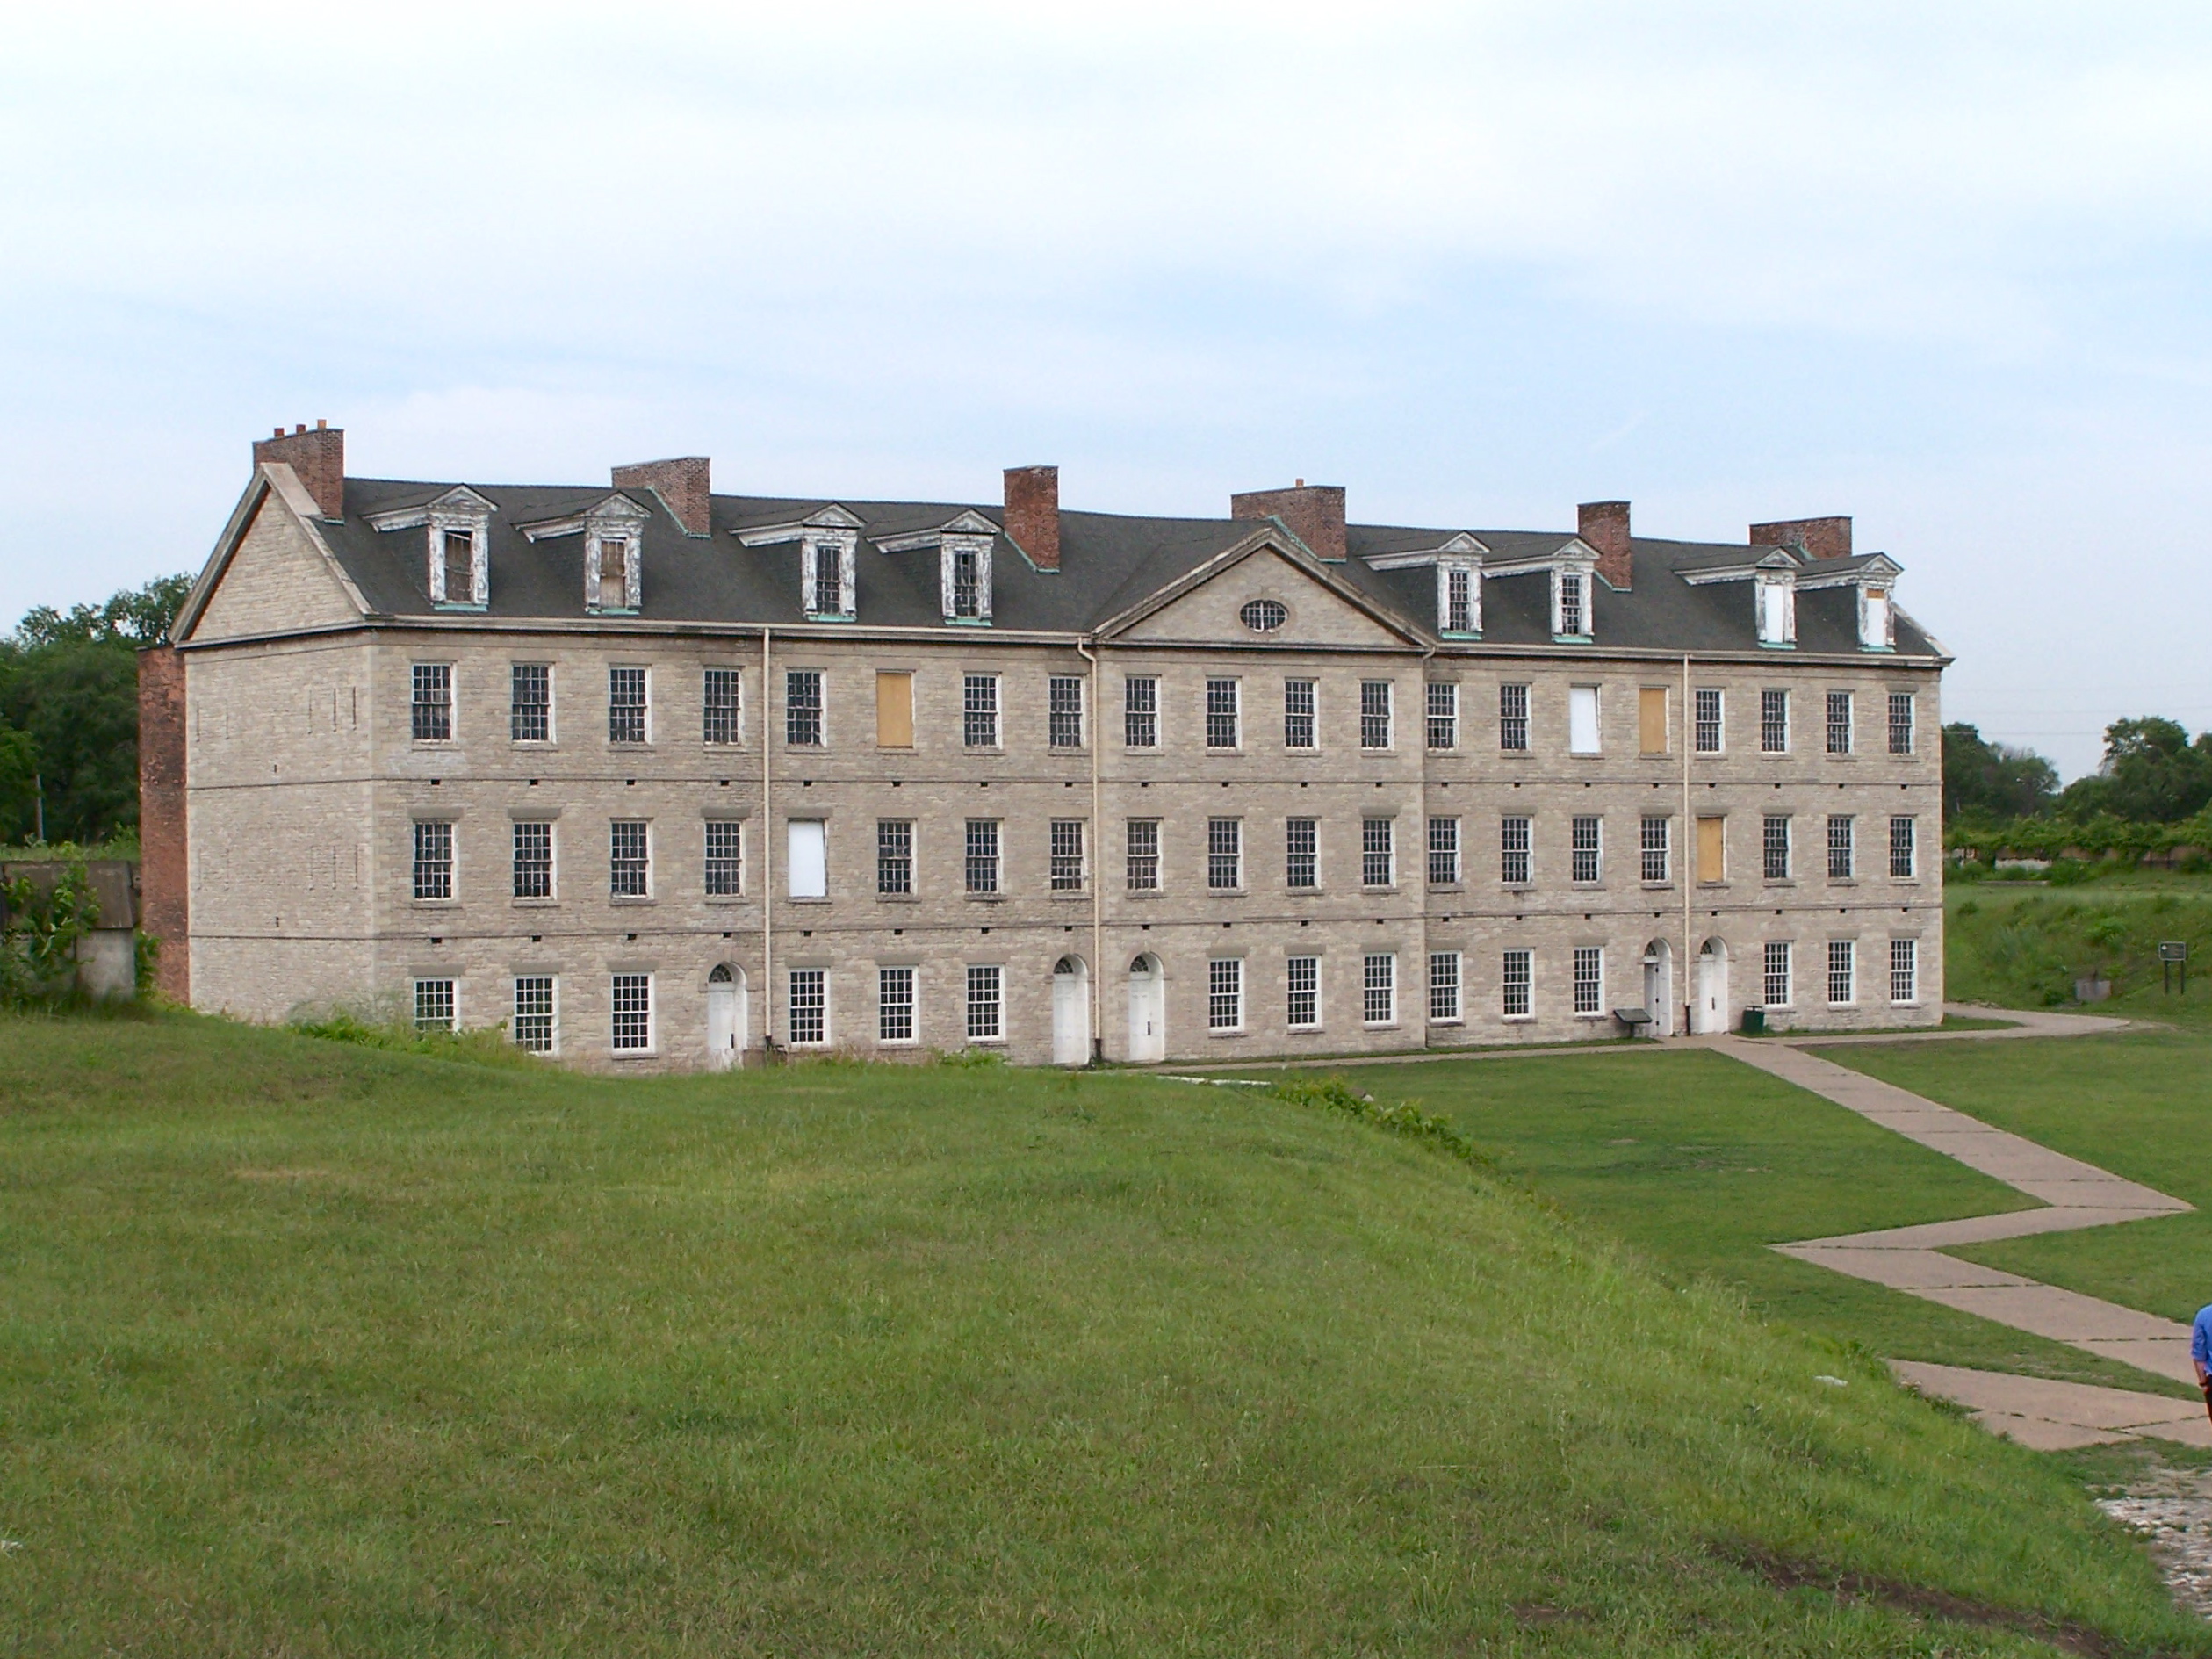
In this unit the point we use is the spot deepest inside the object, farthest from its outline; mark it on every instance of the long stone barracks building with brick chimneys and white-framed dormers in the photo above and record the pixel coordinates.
(662, 778)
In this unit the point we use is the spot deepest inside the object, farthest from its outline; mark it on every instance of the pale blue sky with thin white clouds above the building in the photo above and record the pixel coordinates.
(1943, 269)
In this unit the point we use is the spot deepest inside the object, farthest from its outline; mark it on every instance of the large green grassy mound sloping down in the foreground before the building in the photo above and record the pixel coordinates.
(315, 1350)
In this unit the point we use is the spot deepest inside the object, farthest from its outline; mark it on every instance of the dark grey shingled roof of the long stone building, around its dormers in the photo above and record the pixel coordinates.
(1107, 565)
